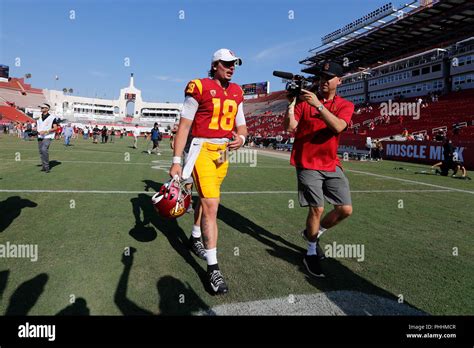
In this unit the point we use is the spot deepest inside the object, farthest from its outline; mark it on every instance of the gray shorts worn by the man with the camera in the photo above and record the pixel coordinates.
(315, 185)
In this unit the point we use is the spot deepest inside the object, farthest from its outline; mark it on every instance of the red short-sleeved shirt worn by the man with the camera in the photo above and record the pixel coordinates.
(315, 145)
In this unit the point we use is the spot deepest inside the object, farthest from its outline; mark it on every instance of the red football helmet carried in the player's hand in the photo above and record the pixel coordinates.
(172, 200)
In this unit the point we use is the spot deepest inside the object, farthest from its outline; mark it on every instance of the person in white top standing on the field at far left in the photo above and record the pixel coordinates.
(46, 127)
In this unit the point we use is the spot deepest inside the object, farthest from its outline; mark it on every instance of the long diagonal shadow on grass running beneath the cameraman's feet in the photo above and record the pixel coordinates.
(338, 277)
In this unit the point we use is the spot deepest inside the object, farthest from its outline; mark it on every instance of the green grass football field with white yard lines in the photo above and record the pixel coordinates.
(81, 235)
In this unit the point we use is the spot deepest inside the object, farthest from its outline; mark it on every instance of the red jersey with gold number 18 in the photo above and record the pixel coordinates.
(217, 109)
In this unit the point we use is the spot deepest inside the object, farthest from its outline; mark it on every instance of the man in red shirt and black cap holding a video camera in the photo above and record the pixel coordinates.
(319, 116)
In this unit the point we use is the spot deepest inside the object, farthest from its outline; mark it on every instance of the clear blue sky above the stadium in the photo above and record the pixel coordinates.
(88, 53)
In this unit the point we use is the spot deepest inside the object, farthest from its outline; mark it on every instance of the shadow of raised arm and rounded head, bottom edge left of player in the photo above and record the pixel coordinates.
(175, 298)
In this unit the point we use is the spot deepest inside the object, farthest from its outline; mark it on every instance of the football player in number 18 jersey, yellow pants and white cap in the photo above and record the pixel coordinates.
(213, 109)
